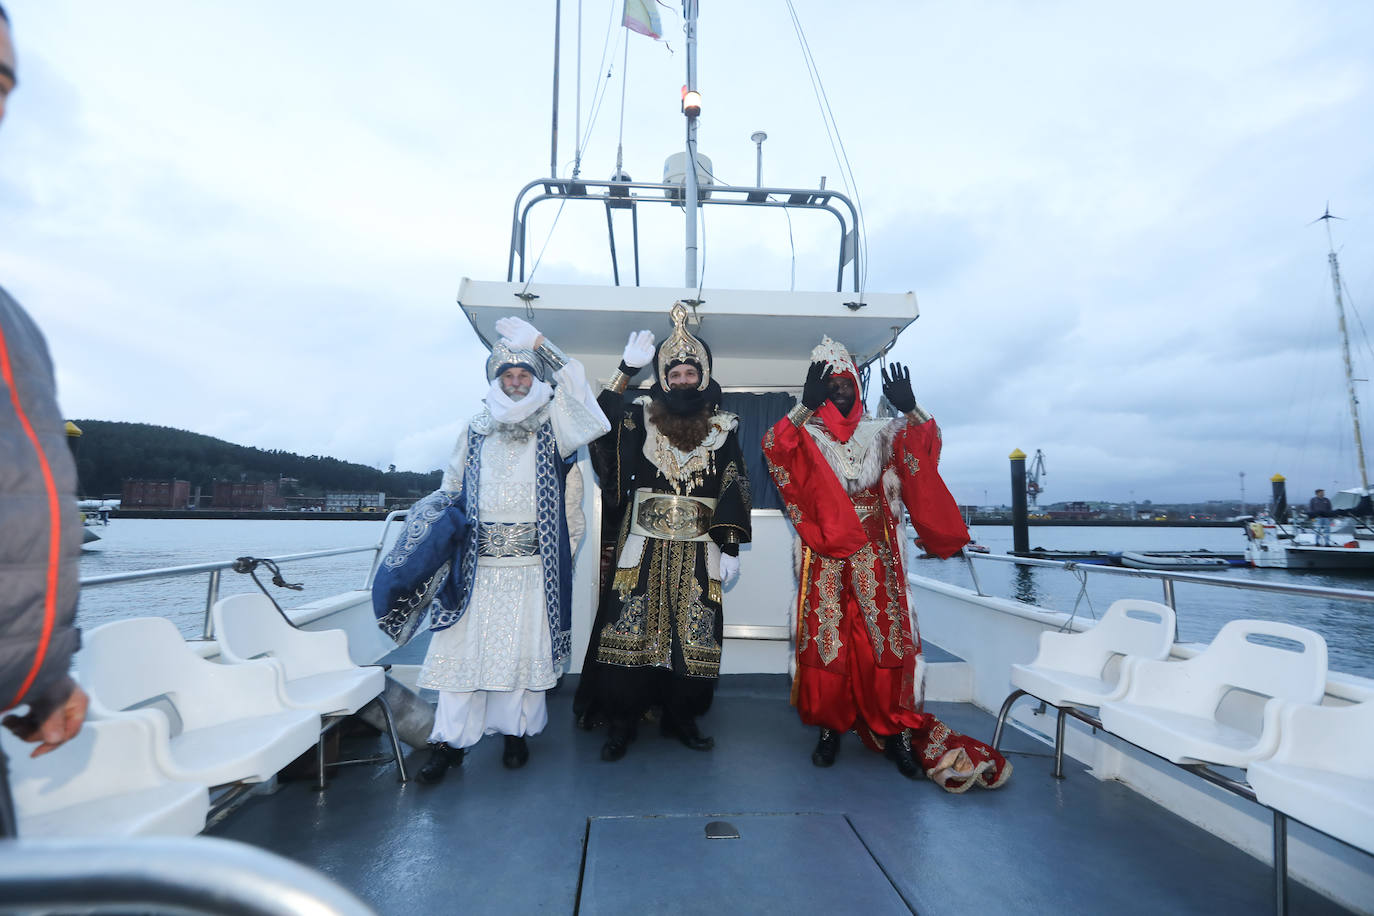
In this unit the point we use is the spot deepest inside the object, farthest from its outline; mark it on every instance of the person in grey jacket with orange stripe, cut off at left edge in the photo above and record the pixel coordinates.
(41, 532)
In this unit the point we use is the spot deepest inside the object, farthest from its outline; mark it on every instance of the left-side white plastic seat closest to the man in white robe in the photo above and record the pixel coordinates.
(315, 671)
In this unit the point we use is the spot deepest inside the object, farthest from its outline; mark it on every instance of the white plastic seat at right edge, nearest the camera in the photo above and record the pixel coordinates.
(1322, 772)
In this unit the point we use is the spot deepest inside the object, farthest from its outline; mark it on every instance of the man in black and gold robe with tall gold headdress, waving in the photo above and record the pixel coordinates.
(674, 473)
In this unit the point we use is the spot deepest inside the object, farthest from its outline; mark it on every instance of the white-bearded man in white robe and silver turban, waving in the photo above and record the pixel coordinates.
(508, 646)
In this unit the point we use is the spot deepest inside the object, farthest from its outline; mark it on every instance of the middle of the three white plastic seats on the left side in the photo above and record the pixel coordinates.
(226, 724)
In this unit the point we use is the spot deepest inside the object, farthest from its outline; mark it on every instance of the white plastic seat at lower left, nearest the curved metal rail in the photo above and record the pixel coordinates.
(105, 782)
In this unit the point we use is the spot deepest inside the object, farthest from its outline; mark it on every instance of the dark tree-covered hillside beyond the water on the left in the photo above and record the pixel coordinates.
(109, 454)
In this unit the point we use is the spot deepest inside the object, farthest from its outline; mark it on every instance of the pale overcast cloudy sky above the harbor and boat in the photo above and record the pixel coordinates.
(251, 219)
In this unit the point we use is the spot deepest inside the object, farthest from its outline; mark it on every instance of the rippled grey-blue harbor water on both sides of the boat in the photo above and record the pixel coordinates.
(139, 545)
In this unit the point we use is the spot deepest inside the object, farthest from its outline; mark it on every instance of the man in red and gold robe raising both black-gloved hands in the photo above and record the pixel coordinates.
(846, 479)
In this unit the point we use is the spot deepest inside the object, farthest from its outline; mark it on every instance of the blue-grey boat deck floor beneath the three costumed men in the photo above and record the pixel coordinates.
(572, 834)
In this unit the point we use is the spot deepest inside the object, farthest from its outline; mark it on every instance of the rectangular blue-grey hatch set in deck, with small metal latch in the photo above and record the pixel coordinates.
(792, 863)
